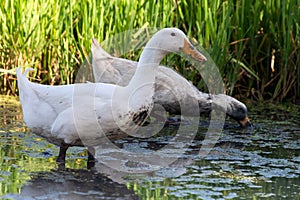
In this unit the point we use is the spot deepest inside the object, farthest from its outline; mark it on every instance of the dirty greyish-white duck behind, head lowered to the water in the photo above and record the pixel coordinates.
(171, 89)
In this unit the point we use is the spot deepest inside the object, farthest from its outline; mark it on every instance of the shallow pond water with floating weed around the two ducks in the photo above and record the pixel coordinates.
(258, 163)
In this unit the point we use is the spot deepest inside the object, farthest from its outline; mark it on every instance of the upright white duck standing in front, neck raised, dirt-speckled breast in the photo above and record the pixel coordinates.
(83, 114)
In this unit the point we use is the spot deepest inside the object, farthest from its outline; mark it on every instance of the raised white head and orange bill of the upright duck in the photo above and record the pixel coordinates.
(170, 40)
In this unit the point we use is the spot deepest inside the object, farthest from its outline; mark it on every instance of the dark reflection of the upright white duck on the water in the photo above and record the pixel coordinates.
(73, 184)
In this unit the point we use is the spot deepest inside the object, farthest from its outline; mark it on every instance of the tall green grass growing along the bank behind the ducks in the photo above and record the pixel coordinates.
(241, 36)
